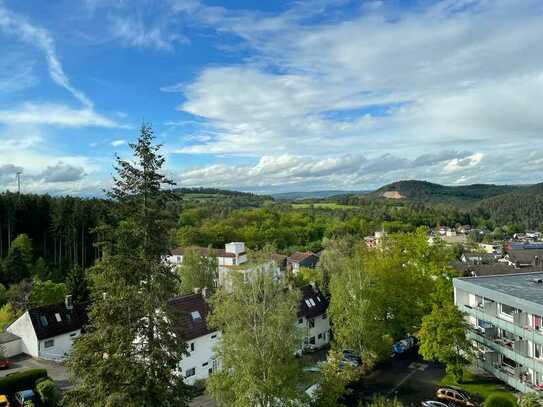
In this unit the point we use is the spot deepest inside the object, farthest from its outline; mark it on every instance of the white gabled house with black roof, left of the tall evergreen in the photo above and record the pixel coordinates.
(47, 332)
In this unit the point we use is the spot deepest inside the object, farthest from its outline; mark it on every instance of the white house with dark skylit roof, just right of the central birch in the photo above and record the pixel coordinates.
(313, 318)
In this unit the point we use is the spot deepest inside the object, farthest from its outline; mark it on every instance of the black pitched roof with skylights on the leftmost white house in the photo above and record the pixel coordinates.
(55, 319)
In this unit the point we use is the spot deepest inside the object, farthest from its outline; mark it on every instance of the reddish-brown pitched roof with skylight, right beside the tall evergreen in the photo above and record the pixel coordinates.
(191, 312)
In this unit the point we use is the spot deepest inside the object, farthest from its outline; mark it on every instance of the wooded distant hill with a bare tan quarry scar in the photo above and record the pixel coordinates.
(427, 191)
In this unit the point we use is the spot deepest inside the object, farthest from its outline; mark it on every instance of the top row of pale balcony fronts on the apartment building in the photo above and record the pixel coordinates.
(520, 328)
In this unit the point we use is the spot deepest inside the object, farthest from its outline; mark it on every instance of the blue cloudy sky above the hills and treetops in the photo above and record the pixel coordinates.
(272, 95)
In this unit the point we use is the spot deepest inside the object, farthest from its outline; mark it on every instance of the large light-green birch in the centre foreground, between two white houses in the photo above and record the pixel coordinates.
(258, 344)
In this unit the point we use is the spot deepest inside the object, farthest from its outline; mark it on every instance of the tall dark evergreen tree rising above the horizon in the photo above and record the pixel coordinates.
(132, 347)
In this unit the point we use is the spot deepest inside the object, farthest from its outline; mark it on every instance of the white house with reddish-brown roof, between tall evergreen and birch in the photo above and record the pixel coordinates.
(192, 311)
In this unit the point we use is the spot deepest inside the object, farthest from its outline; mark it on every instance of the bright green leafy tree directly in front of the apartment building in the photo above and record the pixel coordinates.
(443, 338)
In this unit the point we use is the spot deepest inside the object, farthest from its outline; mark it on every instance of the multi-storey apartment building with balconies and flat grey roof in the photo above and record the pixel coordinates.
(504, 313)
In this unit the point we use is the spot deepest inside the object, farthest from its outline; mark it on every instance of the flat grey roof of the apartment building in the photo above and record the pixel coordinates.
(523, 286)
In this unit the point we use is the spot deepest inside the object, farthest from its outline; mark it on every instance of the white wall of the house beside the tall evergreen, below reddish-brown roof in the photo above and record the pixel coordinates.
(201, 359)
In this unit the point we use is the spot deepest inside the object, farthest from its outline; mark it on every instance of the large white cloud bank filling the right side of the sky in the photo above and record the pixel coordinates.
(390, 84)
